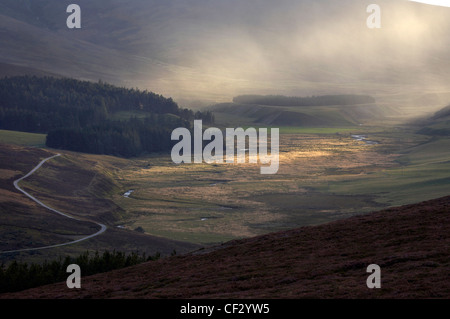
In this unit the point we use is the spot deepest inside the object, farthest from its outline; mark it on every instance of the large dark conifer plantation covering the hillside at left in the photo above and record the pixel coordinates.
(80, 115)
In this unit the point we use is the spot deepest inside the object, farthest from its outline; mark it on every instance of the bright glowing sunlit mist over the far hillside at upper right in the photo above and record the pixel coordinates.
(315, 47)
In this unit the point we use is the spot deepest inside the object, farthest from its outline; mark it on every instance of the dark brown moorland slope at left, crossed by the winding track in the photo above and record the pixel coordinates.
(27, 225)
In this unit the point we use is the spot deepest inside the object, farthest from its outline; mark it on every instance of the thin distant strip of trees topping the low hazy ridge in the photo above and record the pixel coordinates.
(323, 100)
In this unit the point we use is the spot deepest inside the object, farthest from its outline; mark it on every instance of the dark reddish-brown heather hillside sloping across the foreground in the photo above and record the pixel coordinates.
(409, 243)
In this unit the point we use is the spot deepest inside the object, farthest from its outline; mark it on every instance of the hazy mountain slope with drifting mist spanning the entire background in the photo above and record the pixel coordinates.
(212, 50)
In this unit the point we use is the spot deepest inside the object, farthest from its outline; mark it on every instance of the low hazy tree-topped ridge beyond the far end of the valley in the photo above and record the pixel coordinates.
(316, 111)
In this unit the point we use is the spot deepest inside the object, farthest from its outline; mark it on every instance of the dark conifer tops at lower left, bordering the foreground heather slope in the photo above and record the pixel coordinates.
(19, 276)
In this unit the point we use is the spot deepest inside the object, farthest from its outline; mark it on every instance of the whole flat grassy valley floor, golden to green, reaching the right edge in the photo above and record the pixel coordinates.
(324, 175)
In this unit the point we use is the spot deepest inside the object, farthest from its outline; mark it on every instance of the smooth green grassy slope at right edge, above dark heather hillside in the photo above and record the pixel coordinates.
(423, 174)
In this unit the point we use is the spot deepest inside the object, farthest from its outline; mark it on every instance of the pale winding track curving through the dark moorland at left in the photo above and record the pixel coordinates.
(16, 185)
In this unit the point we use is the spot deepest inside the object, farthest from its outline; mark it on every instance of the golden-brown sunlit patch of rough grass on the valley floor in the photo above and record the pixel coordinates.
(172, 198)
